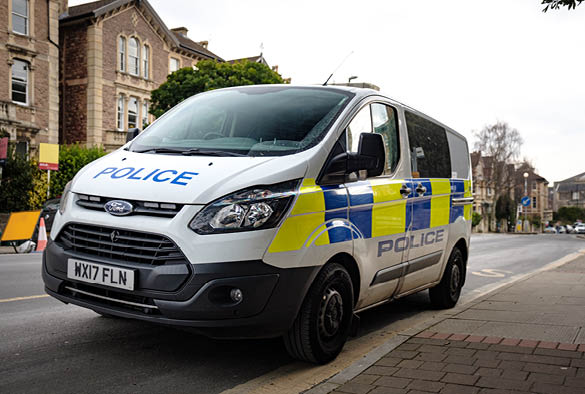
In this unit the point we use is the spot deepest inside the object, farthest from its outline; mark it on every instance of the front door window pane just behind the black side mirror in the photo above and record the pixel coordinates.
(384, 120)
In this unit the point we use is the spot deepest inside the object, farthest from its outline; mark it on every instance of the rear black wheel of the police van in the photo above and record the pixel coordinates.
(446, 294)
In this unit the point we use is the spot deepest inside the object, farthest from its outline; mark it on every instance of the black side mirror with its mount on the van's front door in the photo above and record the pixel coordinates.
(371, 157)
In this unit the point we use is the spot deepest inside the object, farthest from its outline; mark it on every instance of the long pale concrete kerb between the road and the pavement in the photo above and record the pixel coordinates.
(376, 354)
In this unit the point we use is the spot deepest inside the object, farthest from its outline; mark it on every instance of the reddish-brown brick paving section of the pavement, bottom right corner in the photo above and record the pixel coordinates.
(469, 365)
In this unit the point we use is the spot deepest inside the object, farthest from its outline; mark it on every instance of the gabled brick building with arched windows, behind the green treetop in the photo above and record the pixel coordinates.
(113, 54)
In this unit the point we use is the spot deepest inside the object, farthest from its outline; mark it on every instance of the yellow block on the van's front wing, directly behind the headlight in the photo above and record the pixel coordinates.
(295, 231)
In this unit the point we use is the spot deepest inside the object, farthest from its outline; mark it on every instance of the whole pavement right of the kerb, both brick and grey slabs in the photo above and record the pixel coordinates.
(527, 337)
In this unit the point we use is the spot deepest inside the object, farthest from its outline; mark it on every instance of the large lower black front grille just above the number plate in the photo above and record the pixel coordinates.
(119, 244)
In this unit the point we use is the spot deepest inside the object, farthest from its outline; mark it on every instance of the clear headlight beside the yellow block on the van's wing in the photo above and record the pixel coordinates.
(255, 208)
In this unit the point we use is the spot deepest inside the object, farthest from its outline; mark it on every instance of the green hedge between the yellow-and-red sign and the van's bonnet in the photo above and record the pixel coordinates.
(72, 158)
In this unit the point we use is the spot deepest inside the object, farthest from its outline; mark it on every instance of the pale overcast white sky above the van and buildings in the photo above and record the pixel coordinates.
(466, 63)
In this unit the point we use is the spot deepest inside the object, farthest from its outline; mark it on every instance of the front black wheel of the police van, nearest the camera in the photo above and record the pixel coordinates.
(324, 321)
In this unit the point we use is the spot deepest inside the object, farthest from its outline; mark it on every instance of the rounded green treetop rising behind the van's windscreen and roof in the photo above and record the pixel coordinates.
(209, 75)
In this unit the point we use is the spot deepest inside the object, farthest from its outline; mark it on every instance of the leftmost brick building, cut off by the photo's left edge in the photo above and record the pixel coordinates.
(29, 69)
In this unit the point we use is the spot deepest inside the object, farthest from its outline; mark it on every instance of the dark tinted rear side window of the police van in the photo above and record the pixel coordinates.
(430, 156)
